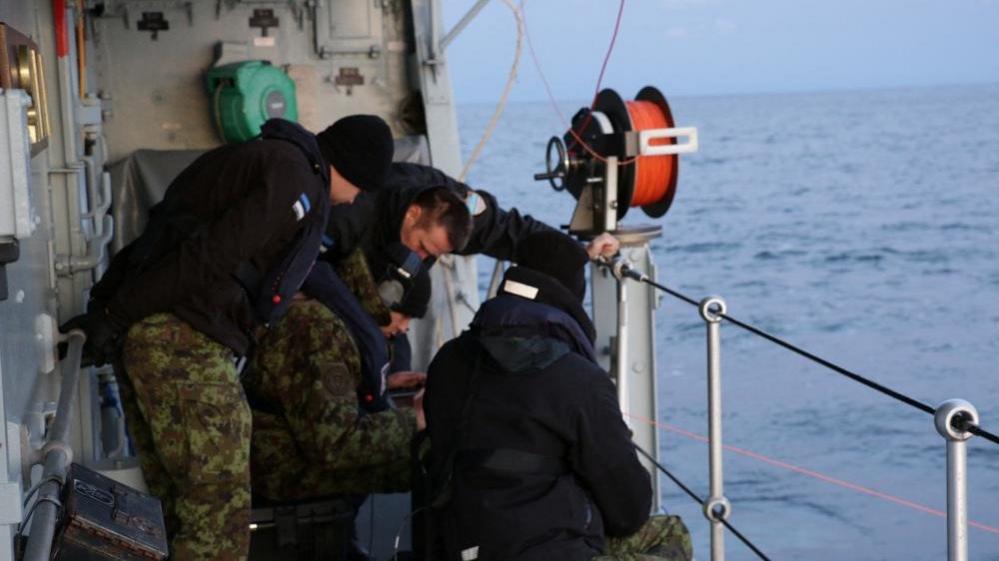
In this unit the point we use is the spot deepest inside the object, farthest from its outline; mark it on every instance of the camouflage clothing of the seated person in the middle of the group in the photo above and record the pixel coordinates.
(309, 437)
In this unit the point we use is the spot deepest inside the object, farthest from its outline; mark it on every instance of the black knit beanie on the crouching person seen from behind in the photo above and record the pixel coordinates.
(557, 255)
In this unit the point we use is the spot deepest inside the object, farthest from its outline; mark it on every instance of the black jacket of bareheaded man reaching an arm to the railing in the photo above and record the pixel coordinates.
(373, 221)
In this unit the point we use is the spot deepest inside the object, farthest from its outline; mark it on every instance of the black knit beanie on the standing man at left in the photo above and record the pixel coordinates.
(360, 148)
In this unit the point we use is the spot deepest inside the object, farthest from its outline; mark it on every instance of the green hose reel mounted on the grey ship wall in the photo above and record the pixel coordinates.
(245, 94)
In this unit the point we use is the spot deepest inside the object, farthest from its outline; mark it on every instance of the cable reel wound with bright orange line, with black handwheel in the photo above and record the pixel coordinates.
(618, 155)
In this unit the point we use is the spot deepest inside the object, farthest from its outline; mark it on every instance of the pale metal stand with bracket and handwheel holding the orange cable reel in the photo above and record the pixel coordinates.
(623, 312)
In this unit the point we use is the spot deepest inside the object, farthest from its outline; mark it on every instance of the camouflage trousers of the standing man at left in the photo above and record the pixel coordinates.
(190, 423)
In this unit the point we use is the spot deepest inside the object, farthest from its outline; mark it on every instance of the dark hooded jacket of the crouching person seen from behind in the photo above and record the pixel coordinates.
(517, 383)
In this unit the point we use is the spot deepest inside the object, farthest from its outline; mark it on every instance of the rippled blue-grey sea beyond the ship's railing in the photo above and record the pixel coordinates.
(863, 226)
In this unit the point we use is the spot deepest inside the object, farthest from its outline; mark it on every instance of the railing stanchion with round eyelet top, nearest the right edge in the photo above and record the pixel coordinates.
(952, 419)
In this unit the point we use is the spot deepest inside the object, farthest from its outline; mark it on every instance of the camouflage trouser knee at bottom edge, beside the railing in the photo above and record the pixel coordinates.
(662, 538)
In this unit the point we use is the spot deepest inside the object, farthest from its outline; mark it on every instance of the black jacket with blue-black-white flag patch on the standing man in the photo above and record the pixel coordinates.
(243, 205)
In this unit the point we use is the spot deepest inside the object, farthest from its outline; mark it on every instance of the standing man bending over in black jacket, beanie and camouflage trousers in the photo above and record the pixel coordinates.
(221, 257)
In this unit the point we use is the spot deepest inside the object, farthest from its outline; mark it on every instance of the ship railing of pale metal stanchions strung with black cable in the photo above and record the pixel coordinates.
(956, 420)
